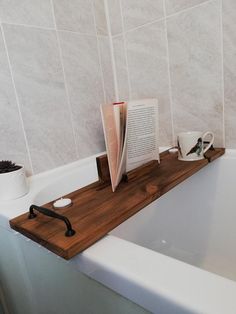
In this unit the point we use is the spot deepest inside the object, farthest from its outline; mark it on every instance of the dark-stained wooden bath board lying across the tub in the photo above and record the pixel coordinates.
(96, 210)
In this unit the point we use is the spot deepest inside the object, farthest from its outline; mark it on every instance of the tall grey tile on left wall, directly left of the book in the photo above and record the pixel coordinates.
(83, 75)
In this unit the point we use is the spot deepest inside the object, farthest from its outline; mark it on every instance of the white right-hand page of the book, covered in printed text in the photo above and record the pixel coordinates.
(142, 133)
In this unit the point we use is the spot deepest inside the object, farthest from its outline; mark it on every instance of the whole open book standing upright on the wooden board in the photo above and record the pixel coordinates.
(131, 135)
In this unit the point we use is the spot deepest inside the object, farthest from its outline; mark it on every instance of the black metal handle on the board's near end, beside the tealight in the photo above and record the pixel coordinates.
(45, 211)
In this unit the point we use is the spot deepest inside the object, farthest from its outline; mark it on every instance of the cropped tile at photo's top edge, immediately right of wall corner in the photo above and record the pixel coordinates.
(139, 12)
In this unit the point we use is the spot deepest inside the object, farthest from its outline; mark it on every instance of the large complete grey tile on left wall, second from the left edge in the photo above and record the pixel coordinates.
(40, 86)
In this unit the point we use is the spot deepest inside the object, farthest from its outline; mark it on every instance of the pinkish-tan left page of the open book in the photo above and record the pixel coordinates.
(111, 140)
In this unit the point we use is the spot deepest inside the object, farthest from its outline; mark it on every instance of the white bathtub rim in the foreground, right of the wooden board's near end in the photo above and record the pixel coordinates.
(144, 286)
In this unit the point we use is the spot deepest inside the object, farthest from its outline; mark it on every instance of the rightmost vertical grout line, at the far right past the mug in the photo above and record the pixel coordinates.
(223, 76)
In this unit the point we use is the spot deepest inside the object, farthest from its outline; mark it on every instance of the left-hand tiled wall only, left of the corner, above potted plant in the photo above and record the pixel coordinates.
(55, 71)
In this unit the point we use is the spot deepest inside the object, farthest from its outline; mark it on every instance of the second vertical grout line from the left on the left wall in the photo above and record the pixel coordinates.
(65, 81)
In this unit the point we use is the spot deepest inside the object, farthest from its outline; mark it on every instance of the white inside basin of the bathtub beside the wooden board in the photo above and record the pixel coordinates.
(195, 222)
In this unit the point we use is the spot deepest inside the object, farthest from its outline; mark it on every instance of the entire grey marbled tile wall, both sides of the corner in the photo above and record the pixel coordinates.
(60, 59)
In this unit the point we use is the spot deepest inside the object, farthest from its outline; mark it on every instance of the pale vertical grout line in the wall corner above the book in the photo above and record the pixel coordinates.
(113, 63)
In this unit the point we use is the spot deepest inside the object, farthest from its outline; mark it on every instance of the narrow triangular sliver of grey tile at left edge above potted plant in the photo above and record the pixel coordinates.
(12, 142)
